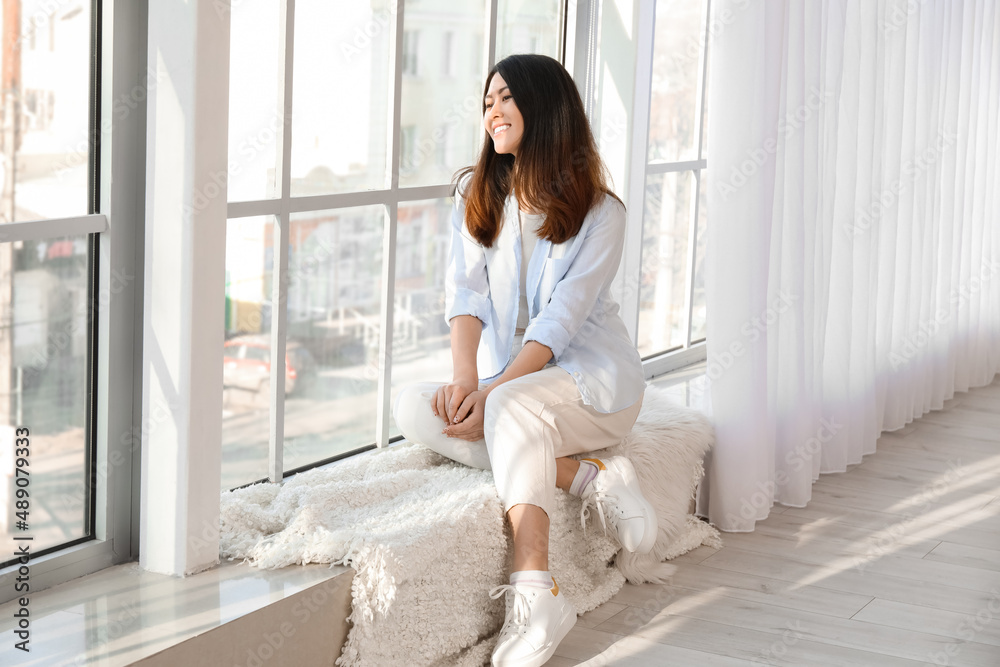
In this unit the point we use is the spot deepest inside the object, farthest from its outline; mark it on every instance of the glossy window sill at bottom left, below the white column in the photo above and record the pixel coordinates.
(123, 615)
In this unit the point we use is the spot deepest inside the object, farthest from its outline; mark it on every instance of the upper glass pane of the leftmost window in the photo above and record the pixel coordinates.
(45, 83)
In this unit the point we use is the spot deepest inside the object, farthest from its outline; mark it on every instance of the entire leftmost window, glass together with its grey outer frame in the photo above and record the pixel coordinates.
(69, 285)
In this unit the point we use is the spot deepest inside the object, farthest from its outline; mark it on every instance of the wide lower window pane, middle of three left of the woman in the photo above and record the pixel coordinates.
(334, 295)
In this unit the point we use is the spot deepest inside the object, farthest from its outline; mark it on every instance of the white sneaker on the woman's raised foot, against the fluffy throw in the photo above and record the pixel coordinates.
(616, 493)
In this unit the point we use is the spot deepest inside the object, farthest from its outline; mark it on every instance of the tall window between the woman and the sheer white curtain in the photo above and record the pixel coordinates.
(672, 309)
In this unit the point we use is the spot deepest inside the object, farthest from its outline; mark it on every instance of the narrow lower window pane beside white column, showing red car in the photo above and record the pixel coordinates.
(246, 369)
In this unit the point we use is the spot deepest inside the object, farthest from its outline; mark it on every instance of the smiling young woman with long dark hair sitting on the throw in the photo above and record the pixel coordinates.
(543, 365)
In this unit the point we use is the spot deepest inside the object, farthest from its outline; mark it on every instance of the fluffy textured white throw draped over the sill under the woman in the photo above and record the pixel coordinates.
(427, 538)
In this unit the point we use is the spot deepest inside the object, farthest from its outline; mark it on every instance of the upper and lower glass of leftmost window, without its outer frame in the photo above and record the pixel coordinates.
(47, 290)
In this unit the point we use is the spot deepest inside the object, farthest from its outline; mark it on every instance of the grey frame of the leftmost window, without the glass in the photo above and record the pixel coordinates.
(117, 163)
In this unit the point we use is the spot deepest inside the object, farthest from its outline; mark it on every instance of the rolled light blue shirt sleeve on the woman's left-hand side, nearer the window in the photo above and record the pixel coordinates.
(467, 286)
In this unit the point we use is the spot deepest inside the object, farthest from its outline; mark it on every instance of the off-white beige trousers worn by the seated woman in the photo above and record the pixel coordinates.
(529, 423)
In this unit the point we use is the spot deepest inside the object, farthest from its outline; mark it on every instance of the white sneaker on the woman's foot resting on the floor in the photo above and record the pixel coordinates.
(537, 620)
